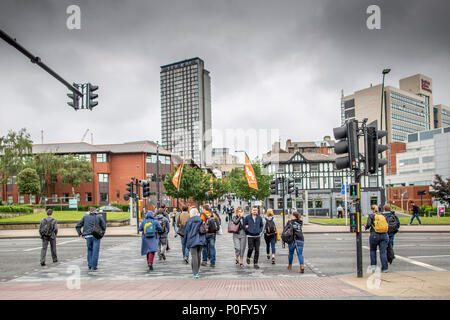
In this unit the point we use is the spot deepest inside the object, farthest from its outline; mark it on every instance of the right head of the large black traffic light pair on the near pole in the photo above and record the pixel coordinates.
(372, 148)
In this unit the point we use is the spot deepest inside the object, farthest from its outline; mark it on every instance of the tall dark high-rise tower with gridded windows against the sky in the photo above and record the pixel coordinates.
(186, 110)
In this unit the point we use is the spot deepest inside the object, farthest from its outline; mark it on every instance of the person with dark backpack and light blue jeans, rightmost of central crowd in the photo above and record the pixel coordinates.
(298, 241)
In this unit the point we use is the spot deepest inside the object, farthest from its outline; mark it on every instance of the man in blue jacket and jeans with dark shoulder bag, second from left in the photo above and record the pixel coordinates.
(87, 222)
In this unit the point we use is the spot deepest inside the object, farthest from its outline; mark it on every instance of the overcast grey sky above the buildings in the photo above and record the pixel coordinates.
(273, 64)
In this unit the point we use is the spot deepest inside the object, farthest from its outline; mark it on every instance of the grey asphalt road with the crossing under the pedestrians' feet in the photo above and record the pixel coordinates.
(326, 255)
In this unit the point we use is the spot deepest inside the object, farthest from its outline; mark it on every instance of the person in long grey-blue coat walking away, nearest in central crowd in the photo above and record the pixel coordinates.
(193, 240)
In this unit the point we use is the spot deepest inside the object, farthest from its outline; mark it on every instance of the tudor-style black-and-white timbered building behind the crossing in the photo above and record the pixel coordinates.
(317, 173)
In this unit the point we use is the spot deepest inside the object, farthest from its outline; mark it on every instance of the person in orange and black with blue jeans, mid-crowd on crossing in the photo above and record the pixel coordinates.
(213, 222)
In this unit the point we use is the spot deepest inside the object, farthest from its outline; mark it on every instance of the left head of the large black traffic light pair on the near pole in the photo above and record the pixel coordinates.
(348, 143)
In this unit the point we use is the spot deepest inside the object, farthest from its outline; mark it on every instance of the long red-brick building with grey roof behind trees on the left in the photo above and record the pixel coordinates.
(113, 166)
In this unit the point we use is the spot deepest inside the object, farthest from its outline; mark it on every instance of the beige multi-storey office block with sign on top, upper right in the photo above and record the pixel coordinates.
(406, 110)
